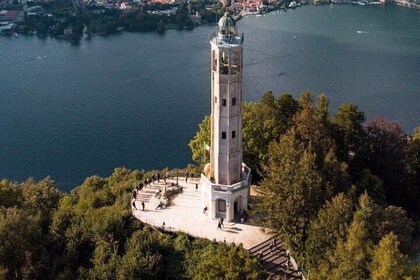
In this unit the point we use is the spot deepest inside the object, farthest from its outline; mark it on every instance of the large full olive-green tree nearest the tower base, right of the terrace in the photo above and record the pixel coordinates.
(292, 190)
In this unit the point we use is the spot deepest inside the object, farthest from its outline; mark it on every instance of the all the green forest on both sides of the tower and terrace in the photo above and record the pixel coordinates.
(341, 193)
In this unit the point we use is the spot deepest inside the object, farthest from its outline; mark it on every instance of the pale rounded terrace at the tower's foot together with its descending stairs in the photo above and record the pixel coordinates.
(184, 214)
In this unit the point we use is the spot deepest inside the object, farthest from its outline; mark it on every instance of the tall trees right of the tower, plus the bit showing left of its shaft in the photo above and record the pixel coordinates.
(343, 195)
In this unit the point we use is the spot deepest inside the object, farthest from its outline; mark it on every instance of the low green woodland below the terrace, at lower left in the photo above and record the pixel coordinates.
(91, 233)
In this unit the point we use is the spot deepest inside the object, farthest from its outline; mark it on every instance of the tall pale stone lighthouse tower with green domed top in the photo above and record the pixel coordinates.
(225, 180)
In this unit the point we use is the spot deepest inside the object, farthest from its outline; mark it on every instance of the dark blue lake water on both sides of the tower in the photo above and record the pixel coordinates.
(135, 99)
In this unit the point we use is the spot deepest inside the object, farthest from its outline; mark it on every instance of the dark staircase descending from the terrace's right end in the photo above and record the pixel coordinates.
(275, 260)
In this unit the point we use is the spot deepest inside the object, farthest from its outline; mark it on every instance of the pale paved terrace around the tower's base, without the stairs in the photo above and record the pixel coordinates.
(185, 214)
